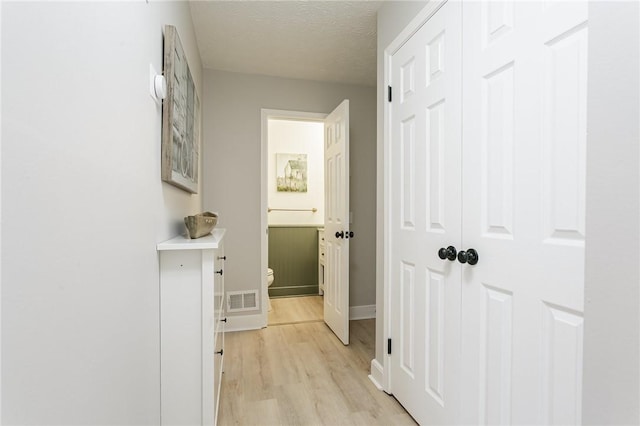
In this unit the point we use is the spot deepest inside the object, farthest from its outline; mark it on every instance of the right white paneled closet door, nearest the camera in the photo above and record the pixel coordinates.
(524, 109)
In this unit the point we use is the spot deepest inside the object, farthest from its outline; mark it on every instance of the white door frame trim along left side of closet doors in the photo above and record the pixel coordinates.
(416, 23)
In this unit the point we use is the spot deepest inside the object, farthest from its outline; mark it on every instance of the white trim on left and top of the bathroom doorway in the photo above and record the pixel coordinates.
(265, 115)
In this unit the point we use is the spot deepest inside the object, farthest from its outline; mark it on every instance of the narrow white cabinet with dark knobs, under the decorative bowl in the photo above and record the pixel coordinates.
(191, 328)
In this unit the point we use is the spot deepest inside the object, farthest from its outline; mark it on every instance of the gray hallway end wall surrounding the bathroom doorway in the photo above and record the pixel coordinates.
(231, 161)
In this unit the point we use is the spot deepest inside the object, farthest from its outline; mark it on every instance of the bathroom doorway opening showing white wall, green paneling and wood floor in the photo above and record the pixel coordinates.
(293, 193)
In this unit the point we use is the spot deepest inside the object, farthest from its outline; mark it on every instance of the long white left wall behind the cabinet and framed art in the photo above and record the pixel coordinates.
(83, 207)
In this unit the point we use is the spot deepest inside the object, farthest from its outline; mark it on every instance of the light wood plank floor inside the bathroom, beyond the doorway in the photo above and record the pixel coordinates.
(291, 310)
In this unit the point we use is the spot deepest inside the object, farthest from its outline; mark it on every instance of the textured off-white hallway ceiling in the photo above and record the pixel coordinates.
(312, 40)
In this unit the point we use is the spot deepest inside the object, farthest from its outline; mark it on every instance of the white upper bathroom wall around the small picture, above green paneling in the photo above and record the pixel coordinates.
(296, 137)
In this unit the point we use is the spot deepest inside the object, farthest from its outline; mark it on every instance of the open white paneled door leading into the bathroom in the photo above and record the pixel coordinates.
(336, 221)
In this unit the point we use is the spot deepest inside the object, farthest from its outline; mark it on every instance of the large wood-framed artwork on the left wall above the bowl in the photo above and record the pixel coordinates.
(180, 118)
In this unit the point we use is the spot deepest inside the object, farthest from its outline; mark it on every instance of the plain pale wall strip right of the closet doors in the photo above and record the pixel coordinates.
(611, 383)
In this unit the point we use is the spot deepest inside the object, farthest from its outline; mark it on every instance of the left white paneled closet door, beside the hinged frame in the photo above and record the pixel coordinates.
(424, 217)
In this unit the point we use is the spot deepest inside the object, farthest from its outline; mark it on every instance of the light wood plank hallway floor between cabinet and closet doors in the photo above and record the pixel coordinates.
(301, 374)
